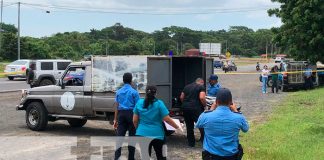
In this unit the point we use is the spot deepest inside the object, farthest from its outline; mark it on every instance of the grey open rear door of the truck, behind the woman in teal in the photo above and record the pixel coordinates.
(159, 73)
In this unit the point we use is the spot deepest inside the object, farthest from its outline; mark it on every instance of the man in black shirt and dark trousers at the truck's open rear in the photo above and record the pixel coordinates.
(193, 98)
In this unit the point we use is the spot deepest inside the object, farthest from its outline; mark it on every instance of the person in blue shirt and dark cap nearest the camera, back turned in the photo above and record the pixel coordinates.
(222, 127)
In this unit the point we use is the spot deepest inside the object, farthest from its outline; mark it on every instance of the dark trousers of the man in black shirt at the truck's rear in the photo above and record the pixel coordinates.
(191, 116)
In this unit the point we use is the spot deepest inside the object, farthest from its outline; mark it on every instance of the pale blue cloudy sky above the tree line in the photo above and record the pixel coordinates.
(144, 15)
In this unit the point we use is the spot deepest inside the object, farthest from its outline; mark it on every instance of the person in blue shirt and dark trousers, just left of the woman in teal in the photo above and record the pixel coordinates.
(126, 99)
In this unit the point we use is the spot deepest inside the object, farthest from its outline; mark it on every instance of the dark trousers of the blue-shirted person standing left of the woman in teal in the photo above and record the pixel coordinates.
(125, 123)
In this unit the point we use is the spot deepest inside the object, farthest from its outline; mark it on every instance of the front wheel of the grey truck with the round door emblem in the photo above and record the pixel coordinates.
(36, 116)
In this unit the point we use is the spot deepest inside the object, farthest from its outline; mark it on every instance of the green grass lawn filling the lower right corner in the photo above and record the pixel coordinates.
(294, 131)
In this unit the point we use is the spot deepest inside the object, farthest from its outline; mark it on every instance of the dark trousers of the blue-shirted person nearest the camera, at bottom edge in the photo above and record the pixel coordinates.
(238, 156)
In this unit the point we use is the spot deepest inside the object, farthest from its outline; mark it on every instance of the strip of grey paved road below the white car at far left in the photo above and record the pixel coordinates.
(17, 84)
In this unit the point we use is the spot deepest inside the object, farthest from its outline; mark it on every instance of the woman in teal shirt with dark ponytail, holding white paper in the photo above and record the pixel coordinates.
(149, 114)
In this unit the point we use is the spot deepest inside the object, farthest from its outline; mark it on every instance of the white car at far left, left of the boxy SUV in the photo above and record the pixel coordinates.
(17, 69)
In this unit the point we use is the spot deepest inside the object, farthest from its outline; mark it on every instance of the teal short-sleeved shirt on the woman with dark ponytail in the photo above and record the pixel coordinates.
(151, 119)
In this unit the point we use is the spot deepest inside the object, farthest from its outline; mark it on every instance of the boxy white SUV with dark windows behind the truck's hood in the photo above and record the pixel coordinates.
(46, 72)
